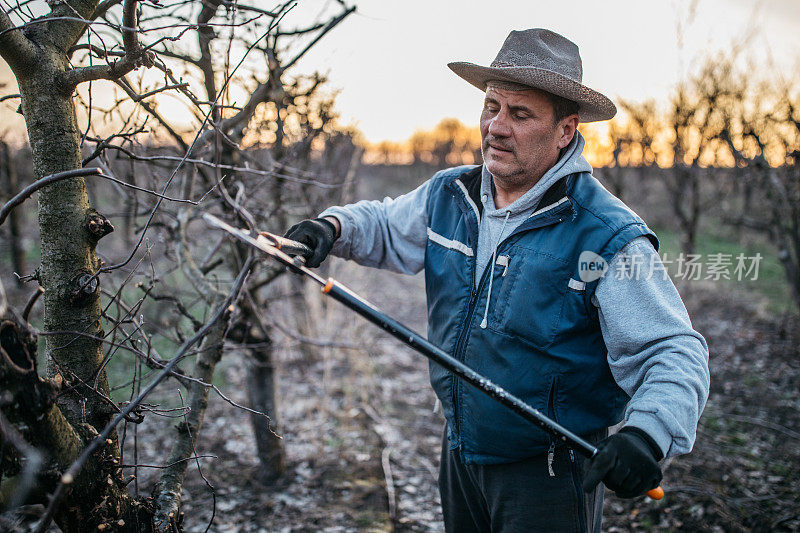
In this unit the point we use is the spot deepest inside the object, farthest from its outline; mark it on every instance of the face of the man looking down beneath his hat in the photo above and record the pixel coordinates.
(519, 140)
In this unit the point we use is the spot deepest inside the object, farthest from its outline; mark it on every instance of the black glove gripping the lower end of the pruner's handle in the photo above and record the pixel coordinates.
(627, 462)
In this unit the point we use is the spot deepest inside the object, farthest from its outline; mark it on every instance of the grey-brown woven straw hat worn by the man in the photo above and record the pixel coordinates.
(544, 60)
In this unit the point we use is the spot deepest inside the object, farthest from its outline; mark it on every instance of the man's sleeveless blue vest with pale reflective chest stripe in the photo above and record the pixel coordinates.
(543, 341)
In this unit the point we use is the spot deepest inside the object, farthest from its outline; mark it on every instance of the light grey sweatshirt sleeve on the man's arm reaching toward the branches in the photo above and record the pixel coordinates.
(389, 233)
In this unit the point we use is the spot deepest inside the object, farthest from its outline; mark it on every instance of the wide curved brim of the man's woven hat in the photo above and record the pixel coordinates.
(594, 106)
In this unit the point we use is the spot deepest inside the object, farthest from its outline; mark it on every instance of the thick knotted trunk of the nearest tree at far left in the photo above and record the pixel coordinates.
(71, 297)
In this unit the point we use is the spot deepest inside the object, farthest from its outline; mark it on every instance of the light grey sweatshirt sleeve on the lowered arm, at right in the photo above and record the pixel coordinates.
(654, 353)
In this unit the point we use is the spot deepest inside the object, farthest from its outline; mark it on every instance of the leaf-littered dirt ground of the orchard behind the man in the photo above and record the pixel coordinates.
(360, 430)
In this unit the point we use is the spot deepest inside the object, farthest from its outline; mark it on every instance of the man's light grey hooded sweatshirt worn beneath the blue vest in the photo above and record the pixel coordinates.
(654, 354)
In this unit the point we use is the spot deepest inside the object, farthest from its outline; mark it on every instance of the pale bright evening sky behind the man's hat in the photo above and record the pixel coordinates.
(388, 59)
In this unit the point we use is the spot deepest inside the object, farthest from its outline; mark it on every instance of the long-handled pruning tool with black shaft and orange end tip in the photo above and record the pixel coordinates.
(281, 249)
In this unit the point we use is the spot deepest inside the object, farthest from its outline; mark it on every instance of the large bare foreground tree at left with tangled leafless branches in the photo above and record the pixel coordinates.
(259, 155)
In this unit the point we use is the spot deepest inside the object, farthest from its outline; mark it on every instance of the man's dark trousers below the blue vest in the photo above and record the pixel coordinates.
(519, 497)
